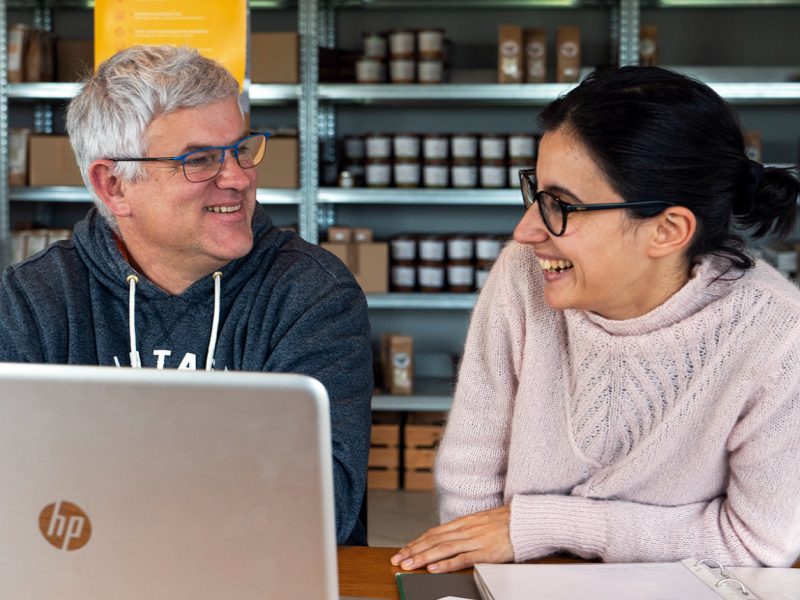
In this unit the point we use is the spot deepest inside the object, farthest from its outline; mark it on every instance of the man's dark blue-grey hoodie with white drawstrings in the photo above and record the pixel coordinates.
(287, 306)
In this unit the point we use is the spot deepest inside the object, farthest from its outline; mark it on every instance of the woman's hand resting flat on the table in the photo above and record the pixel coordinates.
(459, 544)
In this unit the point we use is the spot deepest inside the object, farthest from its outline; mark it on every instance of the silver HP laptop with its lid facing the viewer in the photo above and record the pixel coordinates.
(147, 485)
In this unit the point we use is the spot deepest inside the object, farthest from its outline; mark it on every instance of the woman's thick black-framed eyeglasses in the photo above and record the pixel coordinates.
(554, 210)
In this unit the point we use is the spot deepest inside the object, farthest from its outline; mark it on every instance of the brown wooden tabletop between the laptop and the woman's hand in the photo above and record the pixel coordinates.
(367, 572)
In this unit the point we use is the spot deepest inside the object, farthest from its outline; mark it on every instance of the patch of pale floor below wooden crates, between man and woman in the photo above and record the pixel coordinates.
(398, 516)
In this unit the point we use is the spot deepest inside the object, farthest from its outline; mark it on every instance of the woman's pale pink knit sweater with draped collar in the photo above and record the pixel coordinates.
(671, 435)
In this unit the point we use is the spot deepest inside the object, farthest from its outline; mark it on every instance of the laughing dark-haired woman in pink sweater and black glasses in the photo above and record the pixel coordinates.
(630, 387)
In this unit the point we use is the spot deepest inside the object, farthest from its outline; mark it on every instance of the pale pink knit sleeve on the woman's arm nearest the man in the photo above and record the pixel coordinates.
(472, 458)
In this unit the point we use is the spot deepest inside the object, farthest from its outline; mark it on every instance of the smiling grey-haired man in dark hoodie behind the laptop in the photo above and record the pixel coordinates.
(177, 266)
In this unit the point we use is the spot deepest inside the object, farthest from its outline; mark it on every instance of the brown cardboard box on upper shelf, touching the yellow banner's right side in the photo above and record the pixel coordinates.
(273, 57)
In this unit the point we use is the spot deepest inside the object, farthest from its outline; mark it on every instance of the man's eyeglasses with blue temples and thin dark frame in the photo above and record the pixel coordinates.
(206, 163)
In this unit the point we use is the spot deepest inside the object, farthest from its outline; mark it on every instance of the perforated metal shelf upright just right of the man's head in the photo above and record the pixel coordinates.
(308, 108)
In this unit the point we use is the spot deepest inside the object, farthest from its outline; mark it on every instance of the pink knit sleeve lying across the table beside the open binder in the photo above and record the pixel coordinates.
(755, 522)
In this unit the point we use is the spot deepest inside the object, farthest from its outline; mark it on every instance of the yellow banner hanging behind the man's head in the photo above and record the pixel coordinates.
(217, 29)
